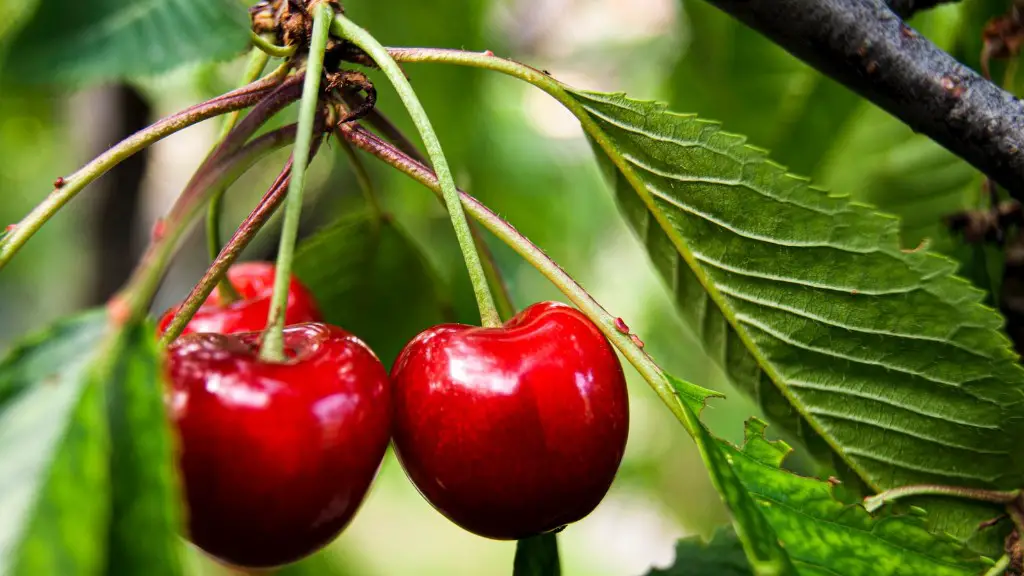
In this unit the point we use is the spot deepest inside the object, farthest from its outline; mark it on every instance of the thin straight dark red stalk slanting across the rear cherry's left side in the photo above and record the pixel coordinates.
(239, 241)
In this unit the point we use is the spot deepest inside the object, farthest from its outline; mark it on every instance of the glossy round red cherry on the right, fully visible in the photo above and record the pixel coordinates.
(511, 432)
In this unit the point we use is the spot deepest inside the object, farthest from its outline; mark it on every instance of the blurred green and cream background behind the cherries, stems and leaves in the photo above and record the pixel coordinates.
(521, 153)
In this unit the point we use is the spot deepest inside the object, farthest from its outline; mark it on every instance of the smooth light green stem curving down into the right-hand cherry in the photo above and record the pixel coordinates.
(352, 32)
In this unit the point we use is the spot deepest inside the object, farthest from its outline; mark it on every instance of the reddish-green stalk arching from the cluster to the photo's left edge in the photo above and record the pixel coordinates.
(71, 186)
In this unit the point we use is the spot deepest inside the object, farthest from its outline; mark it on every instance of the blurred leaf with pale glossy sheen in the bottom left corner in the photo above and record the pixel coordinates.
(55, 485)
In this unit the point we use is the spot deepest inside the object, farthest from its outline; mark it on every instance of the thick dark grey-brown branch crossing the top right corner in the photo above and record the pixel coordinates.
(865, 46)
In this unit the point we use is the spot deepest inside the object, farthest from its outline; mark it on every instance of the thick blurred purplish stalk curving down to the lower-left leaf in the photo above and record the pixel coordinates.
(220, 171)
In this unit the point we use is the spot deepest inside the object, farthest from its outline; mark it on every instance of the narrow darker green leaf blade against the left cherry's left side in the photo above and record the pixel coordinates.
(146, 519)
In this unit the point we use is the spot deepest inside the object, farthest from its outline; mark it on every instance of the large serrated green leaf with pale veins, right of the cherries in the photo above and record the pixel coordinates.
(876, 356)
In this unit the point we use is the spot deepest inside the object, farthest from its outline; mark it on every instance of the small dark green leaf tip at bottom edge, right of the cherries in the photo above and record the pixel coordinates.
(722, 556)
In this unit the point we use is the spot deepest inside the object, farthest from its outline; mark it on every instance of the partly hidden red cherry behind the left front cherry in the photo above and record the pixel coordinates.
(254, 281)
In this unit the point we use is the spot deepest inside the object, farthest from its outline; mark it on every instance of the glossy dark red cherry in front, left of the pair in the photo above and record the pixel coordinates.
(276, 459)
